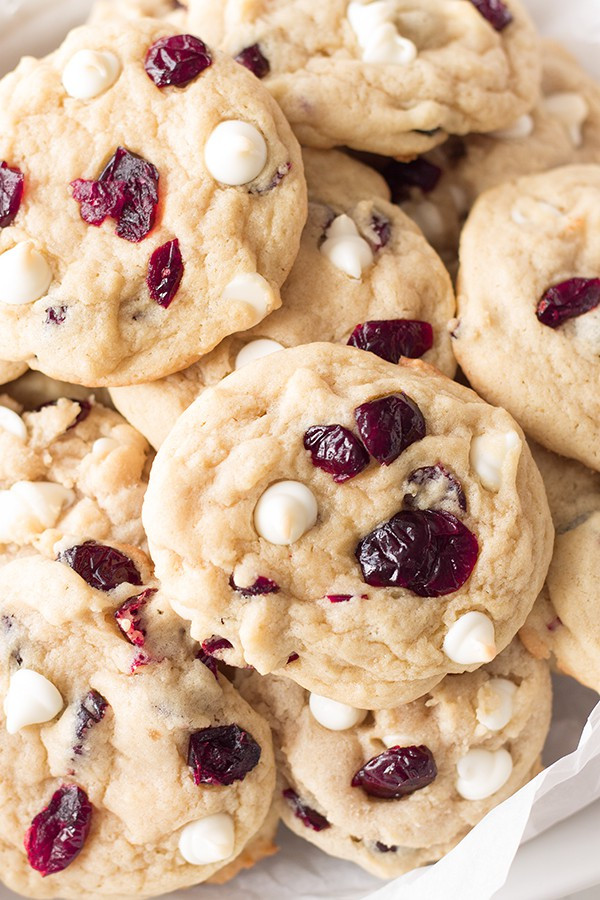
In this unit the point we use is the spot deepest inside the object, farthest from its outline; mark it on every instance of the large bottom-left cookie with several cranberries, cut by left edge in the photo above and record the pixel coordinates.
(130, 767)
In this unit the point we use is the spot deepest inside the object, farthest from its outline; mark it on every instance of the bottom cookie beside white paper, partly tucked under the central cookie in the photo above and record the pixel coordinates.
(397, 788)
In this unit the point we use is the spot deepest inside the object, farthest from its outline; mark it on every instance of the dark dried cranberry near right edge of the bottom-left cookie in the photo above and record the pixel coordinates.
(222, 755)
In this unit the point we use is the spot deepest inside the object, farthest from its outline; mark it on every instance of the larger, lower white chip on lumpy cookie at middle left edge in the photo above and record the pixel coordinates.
(30, 507)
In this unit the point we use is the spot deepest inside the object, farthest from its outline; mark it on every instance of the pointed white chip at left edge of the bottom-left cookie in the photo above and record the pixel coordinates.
(31, 700)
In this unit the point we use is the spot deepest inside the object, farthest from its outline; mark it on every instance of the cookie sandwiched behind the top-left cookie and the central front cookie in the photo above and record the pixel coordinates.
(328, 293)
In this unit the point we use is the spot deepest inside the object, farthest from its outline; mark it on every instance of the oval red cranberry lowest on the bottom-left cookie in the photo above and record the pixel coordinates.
(57, 835)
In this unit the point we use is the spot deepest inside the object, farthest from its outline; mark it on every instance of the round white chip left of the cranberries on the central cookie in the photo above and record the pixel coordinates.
(284, 512)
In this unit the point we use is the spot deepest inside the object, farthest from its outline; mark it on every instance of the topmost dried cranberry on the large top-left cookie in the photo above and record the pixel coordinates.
(176, 60)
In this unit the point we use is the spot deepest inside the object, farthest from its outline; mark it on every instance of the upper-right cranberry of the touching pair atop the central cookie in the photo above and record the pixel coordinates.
(389, 425)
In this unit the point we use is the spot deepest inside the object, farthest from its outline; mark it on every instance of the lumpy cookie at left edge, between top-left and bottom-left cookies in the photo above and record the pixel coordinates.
(69, 468)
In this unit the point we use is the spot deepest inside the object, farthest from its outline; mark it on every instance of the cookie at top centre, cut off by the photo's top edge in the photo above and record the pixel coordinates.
(384, 76)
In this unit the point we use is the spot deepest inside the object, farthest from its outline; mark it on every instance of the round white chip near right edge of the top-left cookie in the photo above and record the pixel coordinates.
(235, 153)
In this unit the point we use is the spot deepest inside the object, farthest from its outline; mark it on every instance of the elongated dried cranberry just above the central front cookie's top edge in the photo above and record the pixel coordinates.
(392, 338)
